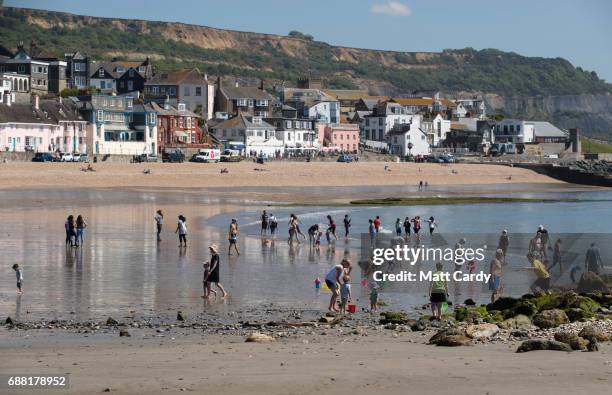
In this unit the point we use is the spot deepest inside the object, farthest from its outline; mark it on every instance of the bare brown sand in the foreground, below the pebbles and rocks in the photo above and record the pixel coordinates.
(380, 362)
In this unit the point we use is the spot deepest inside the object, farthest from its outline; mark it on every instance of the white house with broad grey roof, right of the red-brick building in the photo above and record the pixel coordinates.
(255, 135)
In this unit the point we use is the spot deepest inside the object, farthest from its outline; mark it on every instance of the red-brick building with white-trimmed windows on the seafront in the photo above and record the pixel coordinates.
(176, 127)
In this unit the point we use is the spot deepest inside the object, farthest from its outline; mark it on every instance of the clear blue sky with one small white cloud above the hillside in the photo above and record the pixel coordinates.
(579, 31)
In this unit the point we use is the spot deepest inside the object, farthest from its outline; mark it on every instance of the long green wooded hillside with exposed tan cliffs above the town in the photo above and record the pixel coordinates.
(537, 88)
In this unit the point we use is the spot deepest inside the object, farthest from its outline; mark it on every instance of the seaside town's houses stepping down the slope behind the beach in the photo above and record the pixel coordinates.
(135, 110)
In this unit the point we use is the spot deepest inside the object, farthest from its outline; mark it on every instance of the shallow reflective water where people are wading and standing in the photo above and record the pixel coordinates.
(121, 267)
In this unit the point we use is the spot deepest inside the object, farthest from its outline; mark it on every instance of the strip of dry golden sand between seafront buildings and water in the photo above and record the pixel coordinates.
(249, 174)
